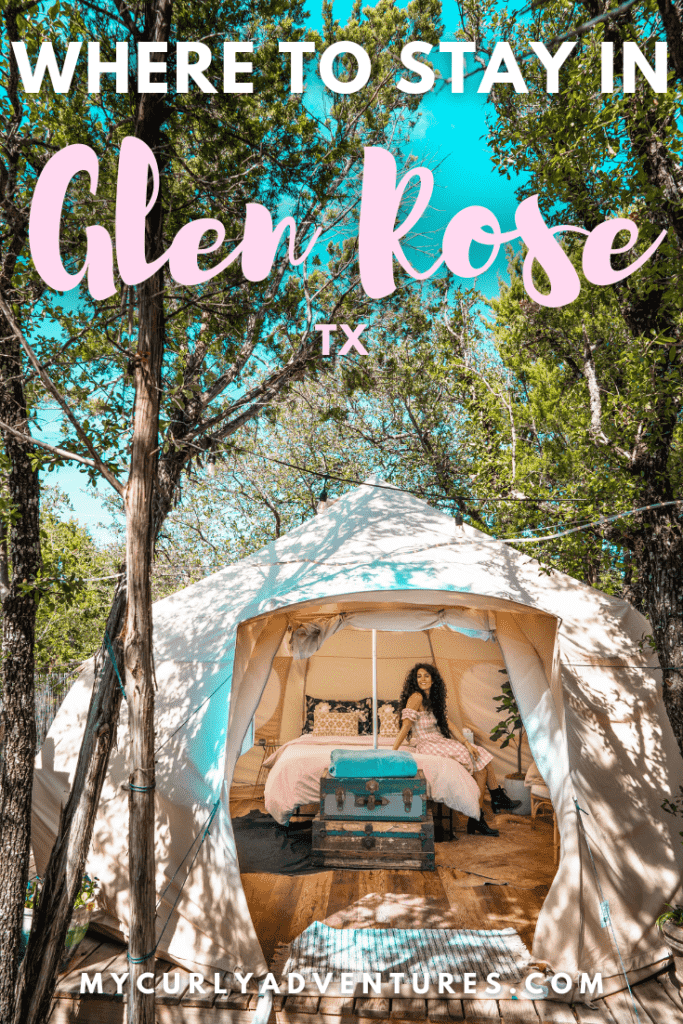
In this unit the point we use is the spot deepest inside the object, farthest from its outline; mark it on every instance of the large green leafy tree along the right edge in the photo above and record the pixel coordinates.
(606, 372)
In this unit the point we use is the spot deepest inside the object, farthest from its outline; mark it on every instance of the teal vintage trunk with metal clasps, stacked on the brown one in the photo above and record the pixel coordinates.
(390, 799)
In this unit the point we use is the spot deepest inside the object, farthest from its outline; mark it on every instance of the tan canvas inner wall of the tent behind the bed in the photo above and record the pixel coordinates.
(339, 667)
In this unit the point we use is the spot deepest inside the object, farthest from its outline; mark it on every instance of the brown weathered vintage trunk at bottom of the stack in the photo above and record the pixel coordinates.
(399, 845)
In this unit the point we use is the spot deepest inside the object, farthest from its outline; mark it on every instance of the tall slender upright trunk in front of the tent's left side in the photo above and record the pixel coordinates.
(141, 491)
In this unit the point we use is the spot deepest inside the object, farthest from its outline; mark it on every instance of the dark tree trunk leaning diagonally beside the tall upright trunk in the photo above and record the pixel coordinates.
(65, 872)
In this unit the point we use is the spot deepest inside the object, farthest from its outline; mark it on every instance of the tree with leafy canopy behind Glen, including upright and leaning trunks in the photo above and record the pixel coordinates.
(189, 368)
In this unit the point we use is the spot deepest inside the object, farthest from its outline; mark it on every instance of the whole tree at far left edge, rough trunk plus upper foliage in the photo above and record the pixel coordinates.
(24, 151)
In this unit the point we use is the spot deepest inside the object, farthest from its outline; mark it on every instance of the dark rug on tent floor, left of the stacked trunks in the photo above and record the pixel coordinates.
(268, 848)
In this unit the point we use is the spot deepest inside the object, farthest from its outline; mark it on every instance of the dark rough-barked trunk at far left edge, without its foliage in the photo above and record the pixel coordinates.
(18, 727)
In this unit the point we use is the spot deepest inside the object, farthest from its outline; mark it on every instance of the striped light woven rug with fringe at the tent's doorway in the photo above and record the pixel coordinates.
(422, 952)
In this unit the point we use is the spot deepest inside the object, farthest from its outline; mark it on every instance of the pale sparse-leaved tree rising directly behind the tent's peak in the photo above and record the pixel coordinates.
(392, 415)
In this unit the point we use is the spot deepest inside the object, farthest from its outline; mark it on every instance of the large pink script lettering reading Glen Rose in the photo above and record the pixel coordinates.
(379, 235)
